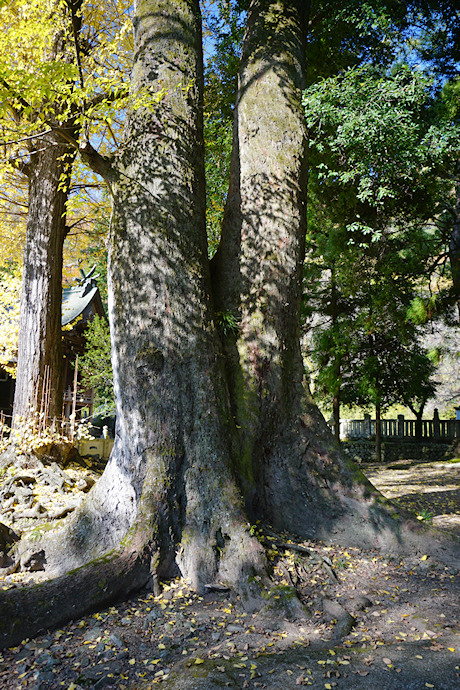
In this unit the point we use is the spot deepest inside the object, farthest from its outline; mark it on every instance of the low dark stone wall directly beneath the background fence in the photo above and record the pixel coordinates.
(363, 450)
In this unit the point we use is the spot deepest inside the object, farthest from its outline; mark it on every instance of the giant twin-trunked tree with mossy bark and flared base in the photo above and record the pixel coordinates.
(168, 497)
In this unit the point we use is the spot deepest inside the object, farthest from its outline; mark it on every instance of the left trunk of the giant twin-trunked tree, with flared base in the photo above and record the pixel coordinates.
(168, 494)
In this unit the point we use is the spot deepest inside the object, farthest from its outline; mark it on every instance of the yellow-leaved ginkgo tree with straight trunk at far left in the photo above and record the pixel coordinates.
(62, 66)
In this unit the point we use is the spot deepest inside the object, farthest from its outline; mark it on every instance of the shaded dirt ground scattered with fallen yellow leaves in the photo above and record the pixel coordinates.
(367, 619)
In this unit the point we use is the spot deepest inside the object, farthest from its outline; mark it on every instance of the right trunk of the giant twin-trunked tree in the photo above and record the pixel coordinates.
(287, 458)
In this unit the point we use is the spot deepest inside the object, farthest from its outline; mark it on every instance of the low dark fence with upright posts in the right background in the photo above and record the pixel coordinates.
(443, 429)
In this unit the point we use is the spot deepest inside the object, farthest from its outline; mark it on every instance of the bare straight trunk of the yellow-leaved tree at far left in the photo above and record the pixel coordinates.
(40, 336)
